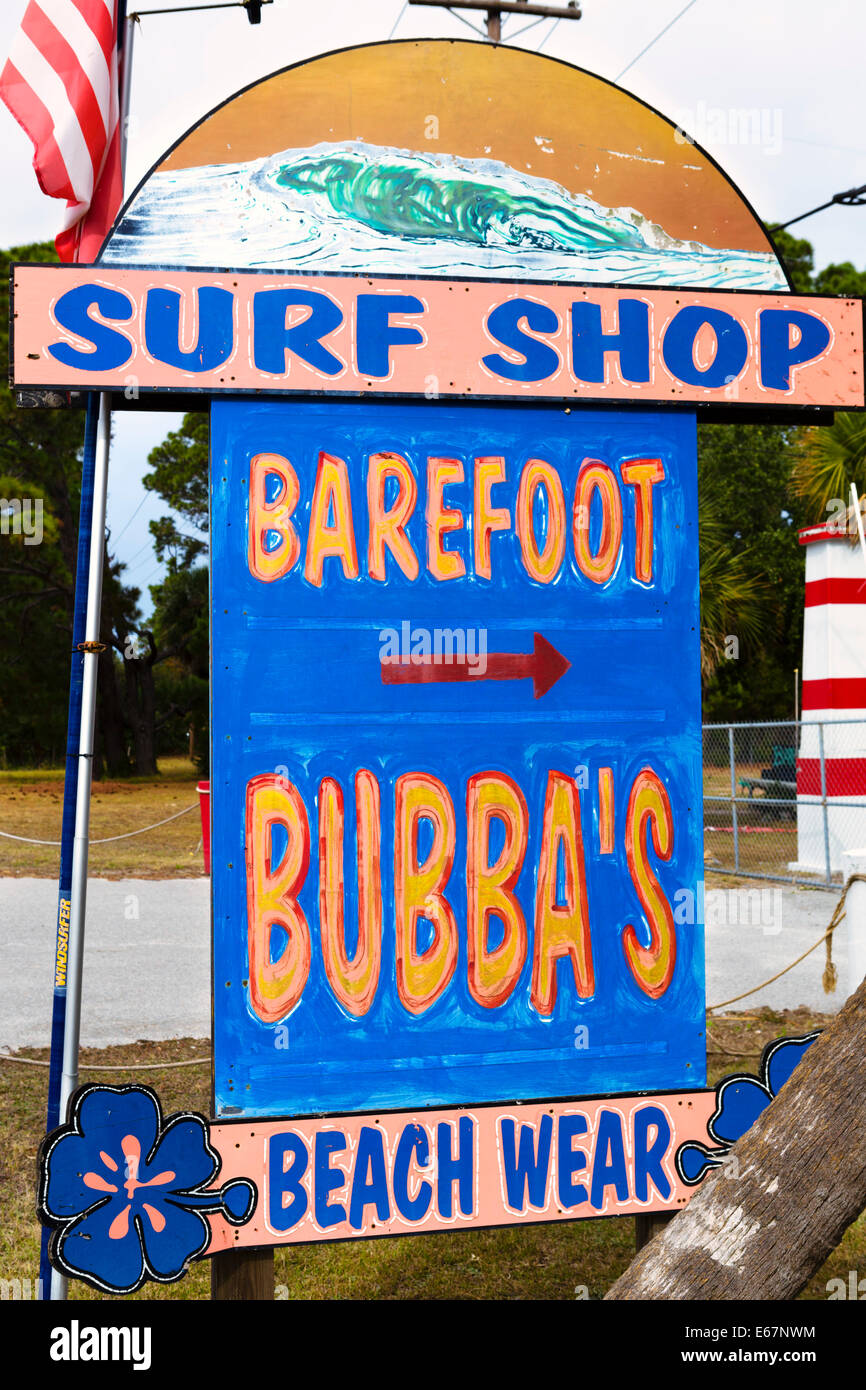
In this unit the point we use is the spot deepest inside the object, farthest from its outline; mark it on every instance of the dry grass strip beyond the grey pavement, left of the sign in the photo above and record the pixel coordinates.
(31, 804)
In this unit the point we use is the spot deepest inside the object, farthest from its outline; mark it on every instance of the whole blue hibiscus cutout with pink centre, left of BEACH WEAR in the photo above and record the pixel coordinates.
(130, 1195)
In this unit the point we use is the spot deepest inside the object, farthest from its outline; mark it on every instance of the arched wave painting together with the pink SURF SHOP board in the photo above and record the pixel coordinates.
(433, 220)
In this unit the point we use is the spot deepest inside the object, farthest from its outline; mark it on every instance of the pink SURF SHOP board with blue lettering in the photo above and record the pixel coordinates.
(131, 332)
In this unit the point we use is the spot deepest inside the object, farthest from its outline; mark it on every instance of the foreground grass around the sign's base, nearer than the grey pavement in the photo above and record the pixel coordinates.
(539, 1263)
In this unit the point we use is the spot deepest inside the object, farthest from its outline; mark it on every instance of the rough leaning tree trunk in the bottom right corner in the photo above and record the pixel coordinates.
(801, 1181)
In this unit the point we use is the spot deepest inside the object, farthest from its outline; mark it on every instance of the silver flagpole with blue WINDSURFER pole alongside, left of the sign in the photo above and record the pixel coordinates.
(66, 1021)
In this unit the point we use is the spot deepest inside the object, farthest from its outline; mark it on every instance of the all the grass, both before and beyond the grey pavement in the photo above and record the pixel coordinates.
(536, 1263)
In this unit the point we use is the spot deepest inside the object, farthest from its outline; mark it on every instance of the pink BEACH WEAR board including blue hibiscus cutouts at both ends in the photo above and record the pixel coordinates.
(131, 1195)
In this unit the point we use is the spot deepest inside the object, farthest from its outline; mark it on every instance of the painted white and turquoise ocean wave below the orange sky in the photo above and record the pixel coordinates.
(373, 211)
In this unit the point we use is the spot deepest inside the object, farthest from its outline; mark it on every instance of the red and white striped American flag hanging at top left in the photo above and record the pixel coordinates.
(62, 85)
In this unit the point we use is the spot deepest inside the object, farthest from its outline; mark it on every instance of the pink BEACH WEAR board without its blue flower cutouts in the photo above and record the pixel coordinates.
(355, 1177)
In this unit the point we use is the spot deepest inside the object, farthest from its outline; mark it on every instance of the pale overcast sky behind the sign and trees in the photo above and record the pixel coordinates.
(797, 62)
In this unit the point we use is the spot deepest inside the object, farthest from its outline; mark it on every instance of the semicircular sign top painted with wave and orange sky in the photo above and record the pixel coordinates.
(446, 159)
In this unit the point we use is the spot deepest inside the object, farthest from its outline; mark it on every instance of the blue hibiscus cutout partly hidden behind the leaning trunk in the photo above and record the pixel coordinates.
(740, 1100)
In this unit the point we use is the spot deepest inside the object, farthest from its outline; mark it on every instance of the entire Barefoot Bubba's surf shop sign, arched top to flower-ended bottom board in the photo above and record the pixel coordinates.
(455, 640)
